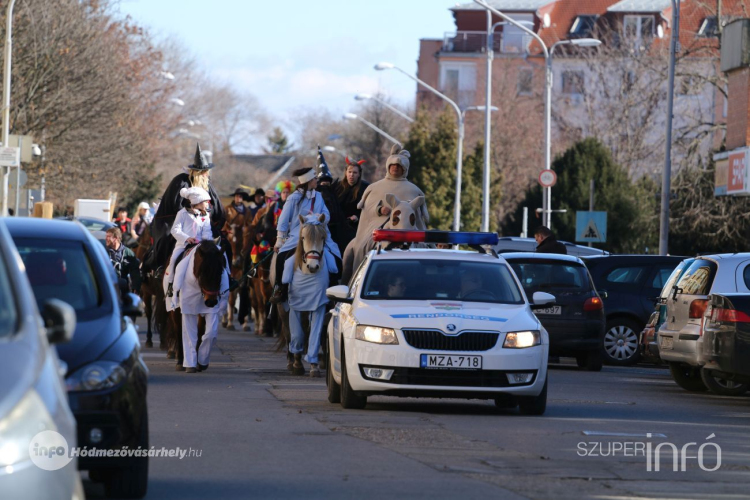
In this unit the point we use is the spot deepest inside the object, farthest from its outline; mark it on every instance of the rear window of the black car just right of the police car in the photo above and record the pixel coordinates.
(542, 274)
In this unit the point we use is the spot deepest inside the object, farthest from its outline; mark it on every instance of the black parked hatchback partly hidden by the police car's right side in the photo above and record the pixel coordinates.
(576, 321)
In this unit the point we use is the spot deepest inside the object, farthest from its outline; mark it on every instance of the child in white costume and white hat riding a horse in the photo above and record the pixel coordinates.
(192, 225)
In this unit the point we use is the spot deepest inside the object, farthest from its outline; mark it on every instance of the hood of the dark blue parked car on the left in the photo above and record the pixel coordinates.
(90, 340)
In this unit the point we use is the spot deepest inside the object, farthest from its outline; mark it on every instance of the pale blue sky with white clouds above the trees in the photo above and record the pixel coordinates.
(301, 53)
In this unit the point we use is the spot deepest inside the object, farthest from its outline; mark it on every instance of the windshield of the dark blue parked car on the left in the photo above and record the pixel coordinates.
(61, 270)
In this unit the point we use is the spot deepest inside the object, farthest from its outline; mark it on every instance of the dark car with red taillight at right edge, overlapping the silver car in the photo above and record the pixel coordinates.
(726, 337)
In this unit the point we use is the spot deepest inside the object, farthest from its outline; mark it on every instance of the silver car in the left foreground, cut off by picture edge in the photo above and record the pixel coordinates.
(32, 391)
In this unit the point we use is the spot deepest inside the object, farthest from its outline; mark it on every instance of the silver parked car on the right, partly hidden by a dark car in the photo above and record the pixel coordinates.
(681, 335)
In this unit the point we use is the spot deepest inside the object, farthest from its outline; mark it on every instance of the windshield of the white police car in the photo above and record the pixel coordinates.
(431, 279)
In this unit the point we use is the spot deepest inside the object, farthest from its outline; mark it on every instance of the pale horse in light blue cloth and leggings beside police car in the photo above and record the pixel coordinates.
(307, 276)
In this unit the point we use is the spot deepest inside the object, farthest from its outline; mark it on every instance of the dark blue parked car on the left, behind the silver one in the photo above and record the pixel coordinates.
(106, 376)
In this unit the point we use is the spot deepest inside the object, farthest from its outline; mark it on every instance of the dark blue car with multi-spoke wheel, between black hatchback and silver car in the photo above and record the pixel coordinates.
(629, 285)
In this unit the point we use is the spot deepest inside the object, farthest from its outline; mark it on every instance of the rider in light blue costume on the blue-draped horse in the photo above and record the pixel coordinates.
(304, 201)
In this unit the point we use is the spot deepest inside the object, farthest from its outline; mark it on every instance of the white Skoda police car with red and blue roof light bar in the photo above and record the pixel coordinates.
(437, 323)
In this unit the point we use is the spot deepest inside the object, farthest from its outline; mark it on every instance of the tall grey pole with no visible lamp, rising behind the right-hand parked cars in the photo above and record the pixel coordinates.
(666, 177)
